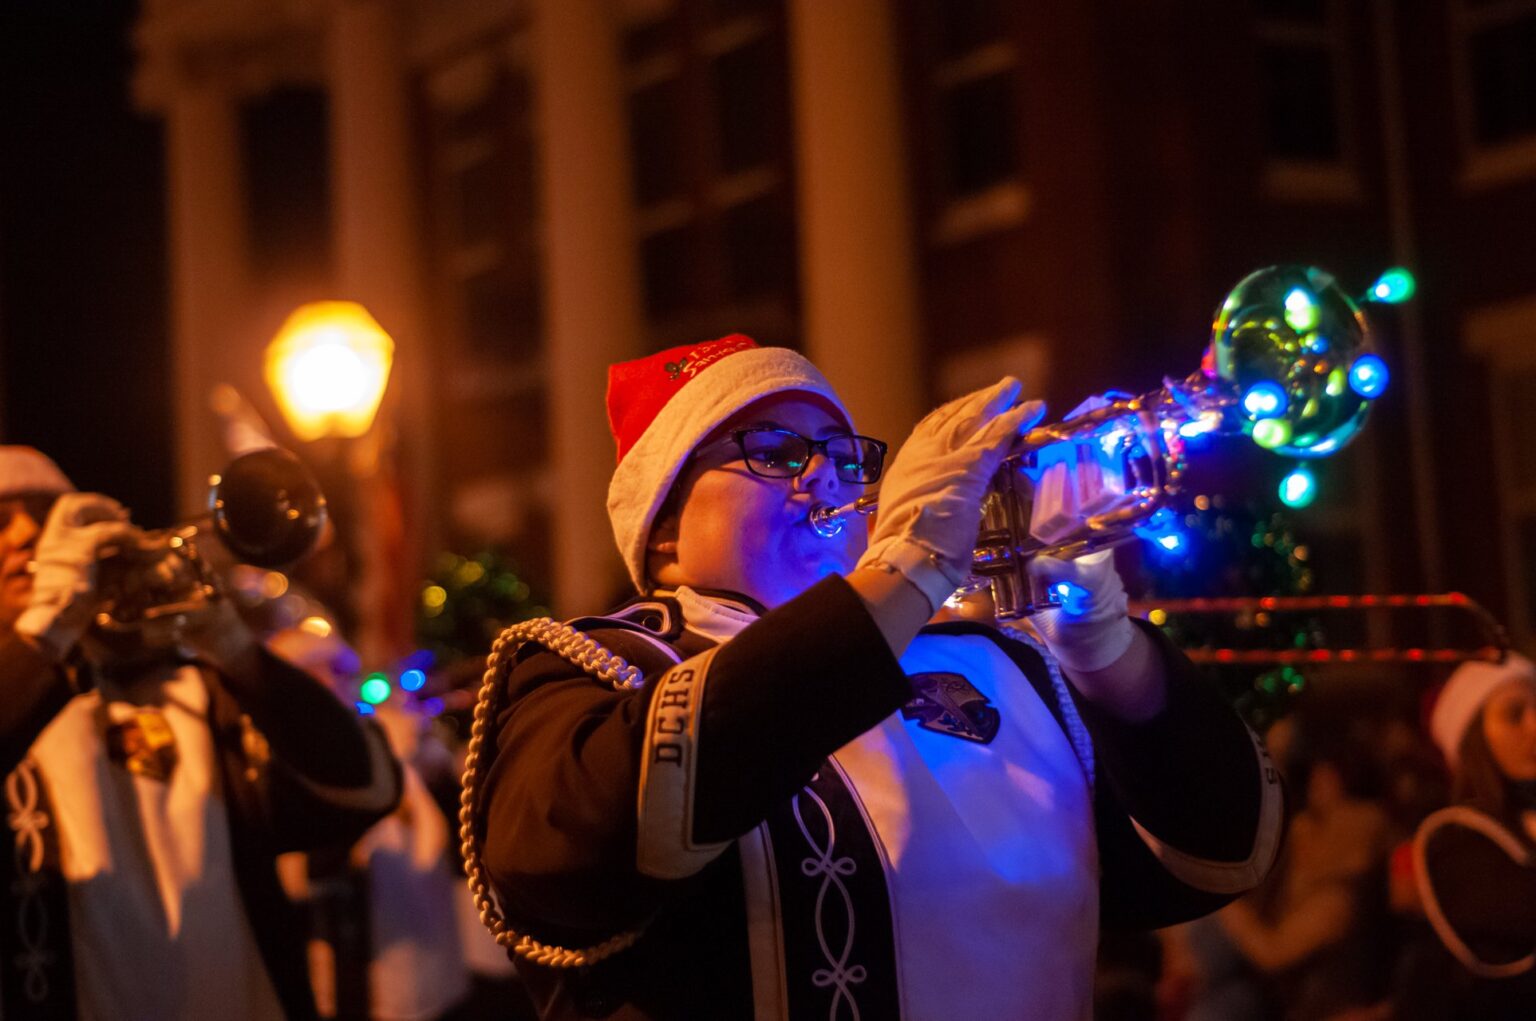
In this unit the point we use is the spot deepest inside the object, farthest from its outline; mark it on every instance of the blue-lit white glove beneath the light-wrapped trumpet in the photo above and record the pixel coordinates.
(1093, 629)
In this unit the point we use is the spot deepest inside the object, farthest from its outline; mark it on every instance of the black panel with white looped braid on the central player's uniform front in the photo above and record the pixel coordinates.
(836, 910)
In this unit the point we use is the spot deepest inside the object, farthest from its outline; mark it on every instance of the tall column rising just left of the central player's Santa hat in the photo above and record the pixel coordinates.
(592, 279)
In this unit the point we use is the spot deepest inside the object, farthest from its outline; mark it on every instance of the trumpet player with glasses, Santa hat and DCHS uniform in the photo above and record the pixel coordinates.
(787, 798)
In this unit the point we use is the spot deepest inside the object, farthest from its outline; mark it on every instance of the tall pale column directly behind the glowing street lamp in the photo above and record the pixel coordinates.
(379, 263)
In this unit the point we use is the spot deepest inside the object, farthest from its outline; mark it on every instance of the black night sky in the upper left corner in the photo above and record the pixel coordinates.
(84, 291)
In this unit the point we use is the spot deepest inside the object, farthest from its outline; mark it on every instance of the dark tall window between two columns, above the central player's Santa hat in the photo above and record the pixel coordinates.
(712, 164)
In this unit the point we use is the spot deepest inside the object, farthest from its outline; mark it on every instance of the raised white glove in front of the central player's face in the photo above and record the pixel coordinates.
(932, 497)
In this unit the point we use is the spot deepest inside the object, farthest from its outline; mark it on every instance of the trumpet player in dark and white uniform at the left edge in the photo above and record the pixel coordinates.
(148, 799)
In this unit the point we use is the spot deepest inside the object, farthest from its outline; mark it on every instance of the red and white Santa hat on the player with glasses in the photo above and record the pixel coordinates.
(663, 406)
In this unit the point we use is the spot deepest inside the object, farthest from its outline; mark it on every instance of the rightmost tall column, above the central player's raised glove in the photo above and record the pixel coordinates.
(858, 266)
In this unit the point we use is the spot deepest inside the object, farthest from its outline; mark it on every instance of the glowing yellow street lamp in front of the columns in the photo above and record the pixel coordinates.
(328, 368)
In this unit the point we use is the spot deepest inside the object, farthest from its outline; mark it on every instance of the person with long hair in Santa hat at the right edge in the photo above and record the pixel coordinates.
(1475, 862)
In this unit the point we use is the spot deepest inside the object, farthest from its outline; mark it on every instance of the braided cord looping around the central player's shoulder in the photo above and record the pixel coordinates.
(594, 659)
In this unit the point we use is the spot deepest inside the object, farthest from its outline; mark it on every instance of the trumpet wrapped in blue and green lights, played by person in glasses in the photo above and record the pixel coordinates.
(1289, 365)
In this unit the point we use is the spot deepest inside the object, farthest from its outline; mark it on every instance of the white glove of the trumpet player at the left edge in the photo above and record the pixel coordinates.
(65, 569)
